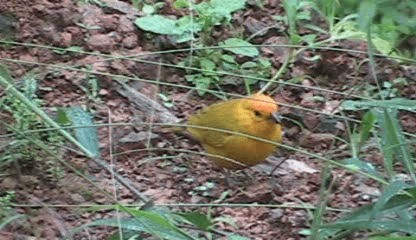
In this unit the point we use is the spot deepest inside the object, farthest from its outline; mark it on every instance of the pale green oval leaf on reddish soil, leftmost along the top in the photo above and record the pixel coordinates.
(158, 24)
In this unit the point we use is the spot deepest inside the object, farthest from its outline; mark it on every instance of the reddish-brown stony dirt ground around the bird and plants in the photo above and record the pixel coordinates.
(177, 180)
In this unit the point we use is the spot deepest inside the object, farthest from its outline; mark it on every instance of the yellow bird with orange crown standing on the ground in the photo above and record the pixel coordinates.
(255, 115)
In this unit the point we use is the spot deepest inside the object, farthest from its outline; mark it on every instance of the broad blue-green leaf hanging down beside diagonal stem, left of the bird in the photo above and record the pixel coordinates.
(87, 136)
